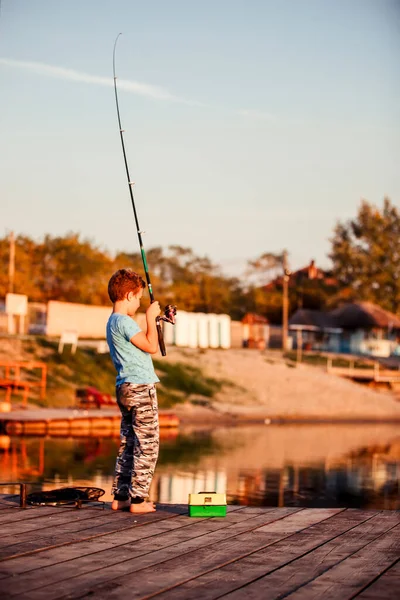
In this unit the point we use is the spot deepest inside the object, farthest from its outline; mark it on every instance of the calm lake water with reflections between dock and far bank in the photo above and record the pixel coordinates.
(321, 465)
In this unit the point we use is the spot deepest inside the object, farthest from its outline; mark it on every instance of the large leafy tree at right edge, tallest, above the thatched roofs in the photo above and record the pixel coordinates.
(366, 255)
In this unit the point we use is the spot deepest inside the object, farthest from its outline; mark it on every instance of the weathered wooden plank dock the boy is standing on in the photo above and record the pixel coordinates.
(48, 553)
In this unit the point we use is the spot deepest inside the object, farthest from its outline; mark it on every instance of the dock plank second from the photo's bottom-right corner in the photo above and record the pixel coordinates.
(346, 580)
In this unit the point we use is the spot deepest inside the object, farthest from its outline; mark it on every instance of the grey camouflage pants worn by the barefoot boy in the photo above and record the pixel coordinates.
(138, 451)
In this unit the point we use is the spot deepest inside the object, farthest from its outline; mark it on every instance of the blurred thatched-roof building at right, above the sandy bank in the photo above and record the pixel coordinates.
(357, 327)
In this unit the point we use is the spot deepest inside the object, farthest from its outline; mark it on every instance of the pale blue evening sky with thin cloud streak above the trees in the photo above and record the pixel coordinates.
(250, 126)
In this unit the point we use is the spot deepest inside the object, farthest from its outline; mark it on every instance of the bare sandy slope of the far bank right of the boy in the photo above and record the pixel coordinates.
(266, 386)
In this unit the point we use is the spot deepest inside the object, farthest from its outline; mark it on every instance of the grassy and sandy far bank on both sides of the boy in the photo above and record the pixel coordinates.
(214, 386)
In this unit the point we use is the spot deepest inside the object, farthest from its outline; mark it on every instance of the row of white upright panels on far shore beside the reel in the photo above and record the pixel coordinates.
(199, 330)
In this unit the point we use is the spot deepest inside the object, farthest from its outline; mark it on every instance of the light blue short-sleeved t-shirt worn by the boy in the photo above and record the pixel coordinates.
(132, 364)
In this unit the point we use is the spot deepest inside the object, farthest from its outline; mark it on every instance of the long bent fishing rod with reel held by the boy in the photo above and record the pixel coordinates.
(170, 310)
